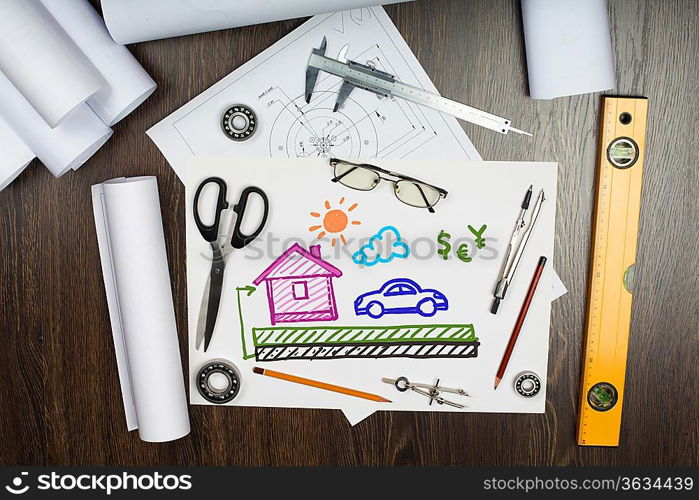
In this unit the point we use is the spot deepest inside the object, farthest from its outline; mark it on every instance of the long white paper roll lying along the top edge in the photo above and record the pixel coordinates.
(131, 21)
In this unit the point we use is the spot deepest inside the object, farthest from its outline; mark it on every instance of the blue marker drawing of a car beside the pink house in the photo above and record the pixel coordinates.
(400, 296)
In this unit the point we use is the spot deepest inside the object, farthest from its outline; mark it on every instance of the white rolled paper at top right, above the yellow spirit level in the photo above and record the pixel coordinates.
(569, 47)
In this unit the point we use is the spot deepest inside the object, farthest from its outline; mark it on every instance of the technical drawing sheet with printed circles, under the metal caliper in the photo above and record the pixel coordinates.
(273, 85)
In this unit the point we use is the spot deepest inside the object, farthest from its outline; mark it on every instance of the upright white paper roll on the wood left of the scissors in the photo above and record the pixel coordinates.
(137, 282)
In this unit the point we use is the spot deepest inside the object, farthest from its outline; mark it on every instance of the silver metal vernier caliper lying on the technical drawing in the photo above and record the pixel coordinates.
(369, 78)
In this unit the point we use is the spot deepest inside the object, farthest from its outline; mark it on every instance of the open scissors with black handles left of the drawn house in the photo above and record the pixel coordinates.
(214, 285)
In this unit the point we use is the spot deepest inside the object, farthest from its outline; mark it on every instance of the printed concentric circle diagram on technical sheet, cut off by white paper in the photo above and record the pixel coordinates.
(314, 131)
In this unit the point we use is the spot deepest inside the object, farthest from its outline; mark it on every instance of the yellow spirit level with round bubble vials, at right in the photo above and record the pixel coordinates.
(615, 231)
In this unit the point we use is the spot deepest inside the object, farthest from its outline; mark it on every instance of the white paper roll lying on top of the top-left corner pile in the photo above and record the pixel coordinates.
(42, 61)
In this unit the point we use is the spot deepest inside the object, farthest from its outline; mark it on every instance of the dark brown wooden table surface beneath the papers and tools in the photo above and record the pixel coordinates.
(60, 402)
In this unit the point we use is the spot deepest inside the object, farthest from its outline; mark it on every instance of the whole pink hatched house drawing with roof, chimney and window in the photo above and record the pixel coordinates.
(299, 286)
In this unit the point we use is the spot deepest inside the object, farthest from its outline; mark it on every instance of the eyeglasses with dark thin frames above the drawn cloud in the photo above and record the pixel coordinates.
(365, 177)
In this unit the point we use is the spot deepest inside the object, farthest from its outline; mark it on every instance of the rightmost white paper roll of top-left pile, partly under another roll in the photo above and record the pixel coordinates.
(127, 83)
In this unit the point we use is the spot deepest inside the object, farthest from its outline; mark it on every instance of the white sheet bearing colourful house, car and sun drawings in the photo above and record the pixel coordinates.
(299, 188)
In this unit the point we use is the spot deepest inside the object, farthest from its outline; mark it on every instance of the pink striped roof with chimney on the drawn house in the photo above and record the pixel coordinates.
(297, 262)
